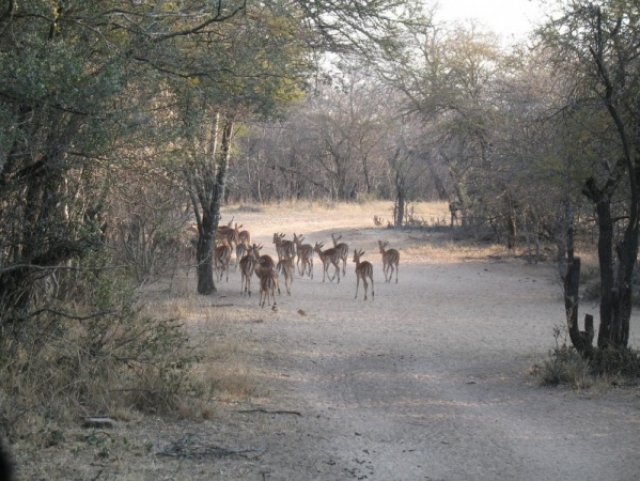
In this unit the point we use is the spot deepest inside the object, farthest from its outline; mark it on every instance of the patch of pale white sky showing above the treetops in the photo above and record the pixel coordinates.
(512, 19)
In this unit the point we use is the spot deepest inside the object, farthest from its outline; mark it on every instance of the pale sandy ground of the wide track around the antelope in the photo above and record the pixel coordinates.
(426, 382)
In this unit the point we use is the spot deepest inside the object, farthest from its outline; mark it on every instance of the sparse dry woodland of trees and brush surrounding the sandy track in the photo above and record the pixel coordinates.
(125, 126)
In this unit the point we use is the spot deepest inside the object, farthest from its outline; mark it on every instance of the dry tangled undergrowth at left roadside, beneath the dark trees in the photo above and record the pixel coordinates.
(90, 353)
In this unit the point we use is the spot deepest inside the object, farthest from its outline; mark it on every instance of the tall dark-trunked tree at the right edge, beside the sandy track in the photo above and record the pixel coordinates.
(600, 43)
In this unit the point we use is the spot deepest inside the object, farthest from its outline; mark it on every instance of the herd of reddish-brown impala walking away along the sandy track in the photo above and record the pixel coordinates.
(293, 255)
